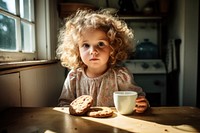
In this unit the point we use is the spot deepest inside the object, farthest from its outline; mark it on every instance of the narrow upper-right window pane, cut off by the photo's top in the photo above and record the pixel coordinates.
(25, 9)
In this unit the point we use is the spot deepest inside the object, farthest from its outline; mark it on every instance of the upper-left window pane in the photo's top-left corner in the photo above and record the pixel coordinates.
(8, 5)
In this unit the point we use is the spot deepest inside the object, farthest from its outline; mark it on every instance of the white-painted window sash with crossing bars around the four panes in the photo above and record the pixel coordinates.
(19, 54)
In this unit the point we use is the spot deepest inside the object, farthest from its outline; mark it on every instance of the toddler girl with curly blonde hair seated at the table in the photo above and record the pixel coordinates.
(93, 44)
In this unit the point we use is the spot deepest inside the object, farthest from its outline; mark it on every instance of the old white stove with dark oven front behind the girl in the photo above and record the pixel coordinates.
(151, 76)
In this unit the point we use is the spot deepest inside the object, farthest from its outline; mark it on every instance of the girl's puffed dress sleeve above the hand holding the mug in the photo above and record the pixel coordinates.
(126, 81)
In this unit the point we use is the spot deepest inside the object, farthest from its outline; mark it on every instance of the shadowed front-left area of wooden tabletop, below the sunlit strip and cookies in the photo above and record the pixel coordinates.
(47, 120)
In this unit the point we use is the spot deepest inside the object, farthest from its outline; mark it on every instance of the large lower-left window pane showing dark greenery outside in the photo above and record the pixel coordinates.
(7, 33)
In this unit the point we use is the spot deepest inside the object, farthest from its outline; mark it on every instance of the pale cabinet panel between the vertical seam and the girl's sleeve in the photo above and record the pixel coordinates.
(42, 86)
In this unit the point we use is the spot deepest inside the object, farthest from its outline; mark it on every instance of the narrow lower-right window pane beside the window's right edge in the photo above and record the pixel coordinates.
(27, 37)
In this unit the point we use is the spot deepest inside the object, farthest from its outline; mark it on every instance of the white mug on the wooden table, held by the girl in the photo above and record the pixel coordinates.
(125, 101)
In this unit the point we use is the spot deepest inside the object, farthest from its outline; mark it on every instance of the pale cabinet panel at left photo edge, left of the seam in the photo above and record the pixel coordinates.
(9, 90)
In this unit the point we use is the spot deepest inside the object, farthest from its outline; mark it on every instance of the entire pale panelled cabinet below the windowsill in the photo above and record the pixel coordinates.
(35, 86)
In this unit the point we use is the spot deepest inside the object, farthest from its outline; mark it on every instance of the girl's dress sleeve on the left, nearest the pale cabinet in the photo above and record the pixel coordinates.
(69, 89)
